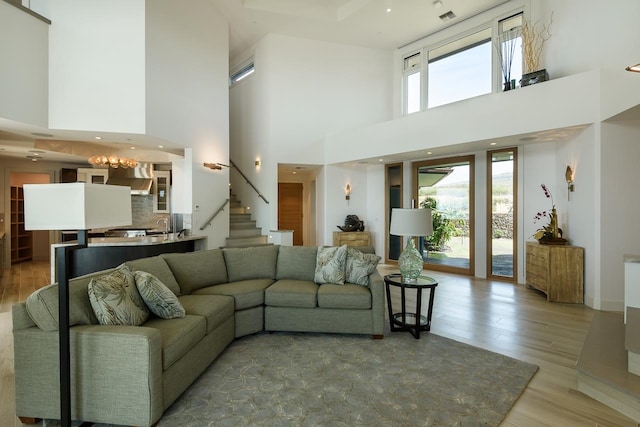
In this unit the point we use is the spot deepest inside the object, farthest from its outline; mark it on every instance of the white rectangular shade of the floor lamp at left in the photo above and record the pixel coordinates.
(76, 206)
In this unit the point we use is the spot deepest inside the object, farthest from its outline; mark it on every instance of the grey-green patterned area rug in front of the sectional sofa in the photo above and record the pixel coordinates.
(291, 379)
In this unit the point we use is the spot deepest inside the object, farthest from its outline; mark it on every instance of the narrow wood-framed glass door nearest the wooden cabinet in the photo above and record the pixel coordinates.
(501, 230)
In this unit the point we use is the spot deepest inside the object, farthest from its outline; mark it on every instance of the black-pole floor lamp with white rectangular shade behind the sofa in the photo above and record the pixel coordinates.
(74, 206)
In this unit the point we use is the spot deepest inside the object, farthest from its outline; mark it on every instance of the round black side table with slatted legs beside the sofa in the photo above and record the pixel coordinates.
(403, 320)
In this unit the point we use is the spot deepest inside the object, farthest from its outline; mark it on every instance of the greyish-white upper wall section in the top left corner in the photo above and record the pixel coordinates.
(24, 45)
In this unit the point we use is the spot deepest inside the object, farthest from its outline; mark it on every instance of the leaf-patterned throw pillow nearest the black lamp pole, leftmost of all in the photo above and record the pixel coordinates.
(115, 299)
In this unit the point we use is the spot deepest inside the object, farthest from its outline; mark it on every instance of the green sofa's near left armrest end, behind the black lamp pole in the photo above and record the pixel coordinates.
(116, 374)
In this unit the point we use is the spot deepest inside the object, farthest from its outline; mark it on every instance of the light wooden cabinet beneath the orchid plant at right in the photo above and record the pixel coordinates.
(556, 270)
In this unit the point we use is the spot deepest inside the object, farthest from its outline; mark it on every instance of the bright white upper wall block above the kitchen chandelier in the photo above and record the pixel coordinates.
(97, 65)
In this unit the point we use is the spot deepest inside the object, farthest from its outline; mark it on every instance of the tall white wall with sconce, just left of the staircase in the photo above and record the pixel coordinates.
(187, 102)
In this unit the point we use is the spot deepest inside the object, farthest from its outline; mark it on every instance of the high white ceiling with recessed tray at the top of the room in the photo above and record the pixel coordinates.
(358, 22)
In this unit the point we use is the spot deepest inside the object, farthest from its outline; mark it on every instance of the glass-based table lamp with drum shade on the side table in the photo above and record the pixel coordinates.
(410, 223)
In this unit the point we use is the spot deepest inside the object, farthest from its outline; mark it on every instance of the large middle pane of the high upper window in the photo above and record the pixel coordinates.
(460, 70)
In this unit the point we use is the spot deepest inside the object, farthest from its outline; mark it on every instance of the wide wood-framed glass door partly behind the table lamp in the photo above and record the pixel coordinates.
(446, 187)
